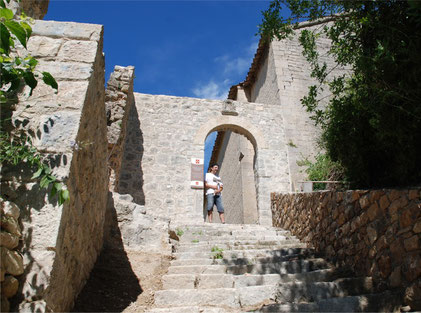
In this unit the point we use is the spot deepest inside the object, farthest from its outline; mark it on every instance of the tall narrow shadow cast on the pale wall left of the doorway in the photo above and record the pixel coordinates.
(131, 175)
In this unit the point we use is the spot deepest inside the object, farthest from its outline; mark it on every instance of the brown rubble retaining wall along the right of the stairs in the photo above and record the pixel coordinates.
(377, 232)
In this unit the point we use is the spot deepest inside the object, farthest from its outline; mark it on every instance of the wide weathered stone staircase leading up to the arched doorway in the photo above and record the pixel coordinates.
(252, 268)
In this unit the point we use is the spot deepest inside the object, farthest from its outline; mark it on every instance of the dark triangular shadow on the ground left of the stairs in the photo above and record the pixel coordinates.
(112, 285)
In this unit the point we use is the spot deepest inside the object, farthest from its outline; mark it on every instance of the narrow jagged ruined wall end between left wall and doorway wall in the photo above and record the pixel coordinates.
(118, 102)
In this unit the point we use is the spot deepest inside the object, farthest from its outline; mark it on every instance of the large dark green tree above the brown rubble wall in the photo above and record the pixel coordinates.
(371, 124)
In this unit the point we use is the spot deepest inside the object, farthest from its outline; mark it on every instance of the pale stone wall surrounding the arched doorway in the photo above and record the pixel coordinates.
(165, 132)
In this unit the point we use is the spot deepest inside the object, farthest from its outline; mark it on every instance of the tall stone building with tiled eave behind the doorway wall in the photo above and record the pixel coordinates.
(280, 76)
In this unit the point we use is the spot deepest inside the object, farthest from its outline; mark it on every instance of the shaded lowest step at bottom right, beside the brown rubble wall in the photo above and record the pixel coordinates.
(378, 302)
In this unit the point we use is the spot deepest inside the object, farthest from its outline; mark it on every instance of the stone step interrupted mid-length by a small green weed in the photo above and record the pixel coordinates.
(248, 254)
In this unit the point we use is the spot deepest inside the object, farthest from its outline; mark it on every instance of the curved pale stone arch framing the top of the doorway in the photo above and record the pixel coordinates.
(234, 123)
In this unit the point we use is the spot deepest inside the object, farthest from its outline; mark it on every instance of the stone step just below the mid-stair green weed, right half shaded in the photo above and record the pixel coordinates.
(295, 266)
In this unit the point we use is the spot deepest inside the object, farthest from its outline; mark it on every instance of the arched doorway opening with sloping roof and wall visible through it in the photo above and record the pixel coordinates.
(235, 154)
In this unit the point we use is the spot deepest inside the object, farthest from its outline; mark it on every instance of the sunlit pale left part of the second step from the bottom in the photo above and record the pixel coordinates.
(222, 297)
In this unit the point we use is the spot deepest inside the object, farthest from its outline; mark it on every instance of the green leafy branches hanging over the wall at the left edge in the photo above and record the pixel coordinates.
(15, 71)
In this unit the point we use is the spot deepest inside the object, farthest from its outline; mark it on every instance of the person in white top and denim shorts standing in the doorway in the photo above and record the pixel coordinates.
(214, 186)
